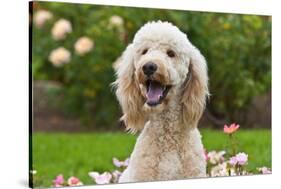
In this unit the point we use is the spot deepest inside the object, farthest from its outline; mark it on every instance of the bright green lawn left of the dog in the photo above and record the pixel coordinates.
(77, 154)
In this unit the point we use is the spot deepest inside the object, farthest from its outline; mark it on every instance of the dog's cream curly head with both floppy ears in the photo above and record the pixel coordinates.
(160, 68)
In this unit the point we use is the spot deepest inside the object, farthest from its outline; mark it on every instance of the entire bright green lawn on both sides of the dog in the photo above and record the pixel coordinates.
(77, 154)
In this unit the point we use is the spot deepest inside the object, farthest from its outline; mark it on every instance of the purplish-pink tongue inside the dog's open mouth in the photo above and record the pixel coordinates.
(155, 91)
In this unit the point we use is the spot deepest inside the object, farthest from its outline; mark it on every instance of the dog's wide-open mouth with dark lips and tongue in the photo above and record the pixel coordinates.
(156, 92)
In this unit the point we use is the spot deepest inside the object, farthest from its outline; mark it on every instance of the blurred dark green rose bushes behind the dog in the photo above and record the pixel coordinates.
(237, 49)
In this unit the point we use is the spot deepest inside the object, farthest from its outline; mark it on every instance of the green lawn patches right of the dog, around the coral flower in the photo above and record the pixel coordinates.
(256, 143)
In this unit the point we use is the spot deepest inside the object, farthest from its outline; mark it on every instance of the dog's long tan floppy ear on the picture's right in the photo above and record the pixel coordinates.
(195, 89)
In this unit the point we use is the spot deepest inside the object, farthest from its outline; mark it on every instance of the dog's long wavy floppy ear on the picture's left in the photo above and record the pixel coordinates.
(128, 92)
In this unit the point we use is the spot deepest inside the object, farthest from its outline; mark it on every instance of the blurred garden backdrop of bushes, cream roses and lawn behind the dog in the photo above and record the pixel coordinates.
(75, 112)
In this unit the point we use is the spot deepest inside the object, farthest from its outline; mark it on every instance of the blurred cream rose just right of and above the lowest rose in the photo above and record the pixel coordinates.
(83, 45)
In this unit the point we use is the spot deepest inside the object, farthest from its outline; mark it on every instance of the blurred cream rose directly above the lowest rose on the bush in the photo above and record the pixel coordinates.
(61, 28)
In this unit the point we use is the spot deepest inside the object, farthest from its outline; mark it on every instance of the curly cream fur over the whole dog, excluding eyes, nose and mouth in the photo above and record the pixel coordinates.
(169, 145)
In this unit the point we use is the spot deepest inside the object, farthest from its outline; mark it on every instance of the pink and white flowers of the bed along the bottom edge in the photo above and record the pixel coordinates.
(230, 162)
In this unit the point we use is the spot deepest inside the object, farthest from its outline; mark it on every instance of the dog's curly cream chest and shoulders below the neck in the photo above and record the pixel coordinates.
(167, 156)
